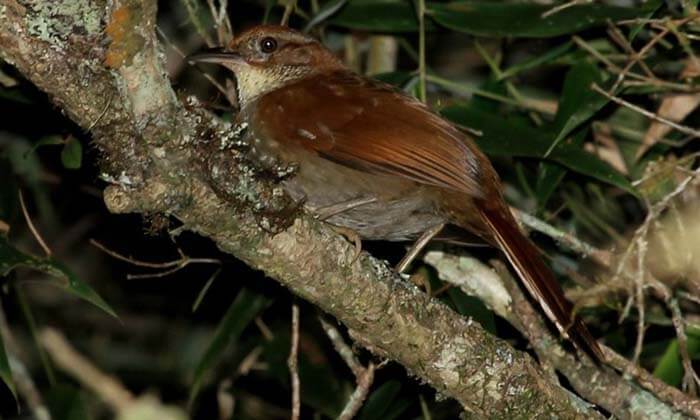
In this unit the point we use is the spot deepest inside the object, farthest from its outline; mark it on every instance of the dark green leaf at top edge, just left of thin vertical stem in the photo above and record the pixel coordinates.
(378, 16)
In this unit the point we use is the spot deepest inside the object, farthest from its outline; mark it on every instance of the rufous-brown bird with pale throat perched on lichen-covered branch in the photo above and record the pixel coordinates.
(376, 161)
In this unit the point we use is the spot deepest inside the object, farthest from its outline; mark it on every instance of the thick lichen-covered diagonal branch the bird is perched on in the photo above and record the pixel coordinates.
(165, 157)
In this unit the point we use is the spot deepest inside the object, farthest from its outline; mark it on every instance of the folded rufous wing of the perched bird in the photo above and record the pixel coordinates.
(368, 125)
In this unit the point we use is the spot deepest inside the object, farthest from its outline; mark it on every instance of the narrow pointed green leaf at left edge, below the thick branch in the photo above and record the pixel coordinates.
(60, 275)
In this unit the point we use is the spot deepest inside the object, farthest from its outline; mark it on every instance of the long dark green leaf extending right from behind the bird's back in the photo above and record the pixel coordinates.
(509, 138)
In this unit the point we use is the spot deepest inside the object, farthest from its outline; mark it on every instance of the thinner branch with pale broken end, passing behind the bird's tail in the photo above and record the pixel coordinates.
(596, 383)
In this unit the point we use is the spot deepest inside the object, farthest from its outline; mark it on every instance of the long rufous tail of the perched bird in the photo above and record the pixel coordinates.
(538, 278)
